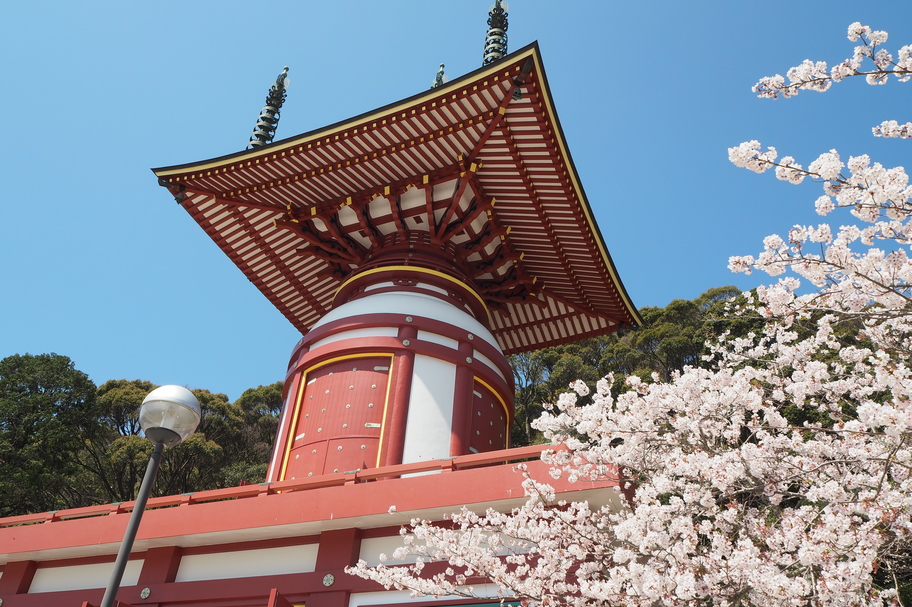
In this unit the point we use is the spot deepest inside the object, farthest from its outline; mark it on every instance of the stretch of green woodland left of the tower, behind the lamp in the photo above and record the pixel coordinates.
(65, 443)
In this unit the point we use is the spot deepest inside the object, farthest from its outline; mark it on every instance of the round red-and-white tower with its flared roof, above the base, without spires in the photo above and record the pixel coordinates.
(414, 247)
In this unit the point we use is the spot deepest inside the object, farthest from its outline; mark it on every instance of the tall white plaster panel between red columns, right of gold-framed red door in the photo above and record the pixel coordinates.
(430, 415)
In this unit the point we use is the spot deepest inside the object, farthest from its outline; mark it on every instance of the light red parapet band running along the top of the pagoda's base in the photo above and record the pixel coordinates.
(362, 499)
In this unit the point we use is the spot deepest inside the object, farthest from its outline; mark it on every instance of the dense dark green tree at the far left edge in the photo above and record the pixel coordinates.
(48, 409)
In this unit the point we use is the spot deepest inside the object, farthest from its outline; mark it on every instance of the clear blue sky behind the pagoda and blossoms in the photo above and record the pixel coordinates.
(99, 264)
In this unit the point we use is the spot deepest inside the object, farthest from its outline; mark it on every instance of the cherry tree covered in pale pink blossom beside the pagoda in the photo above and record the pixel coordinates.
(782, 476)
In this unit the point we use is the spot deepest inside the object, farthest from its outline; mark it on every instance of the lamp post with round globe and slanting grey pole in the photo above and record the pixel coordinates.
(168, 415)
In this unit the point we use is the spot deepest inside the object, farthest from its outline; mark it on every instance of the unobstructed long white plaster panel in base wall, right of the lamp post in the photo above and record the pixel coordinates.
(248, 563)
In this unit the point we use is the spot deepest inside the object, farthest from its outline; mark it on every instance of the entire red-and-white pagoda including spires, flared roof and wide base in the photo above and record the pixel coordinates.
(414, 247)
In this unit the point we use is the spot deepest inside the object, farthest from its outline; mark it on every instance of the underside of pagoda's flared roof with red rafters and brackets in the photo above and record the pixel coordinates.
(465, 165)
